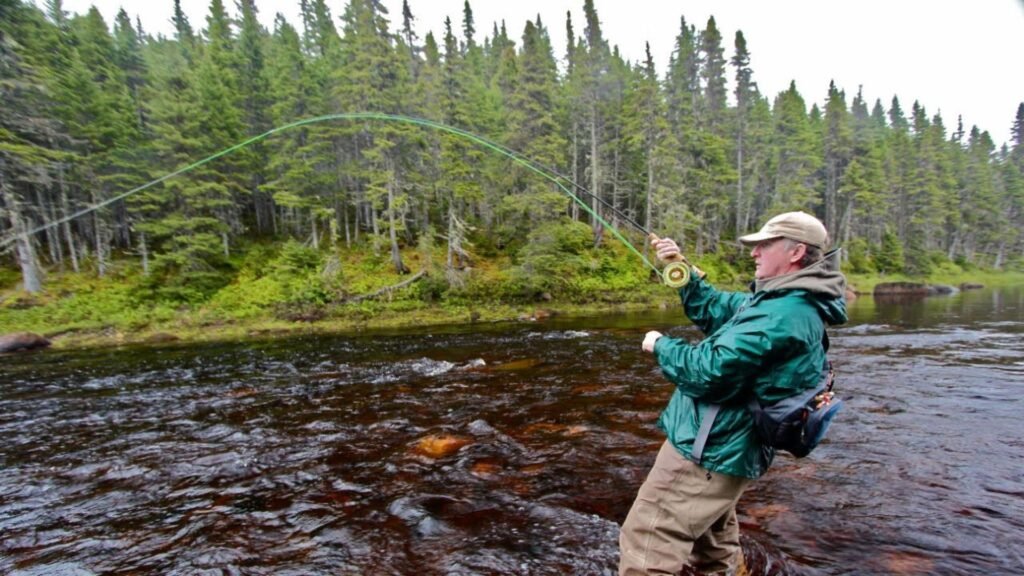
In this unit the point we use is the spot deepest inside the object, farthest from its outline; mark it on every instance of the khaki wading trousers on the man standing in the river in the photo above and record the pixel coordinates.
(684, 515)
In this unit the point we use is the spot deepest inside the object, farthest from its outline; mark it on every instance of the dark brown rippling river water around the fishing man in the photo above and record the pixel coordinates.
(514, 449)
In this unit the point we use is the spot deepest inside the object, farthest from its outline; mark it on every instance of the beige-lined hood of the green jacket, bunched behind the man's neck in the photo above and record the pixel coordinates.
(823, 280)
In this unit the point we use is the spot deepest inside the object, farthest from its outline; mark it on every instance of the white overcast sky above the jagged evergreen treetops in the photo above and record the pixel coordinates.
(955, 57)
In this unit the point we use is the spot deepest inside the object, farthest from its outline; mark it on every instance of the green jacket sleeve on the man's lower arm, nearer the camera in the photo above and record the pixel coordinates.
(721, 368)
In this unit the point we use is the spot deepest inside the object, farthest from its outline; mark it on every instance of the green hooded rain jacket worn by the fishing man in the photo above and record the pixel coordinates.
(766, 345)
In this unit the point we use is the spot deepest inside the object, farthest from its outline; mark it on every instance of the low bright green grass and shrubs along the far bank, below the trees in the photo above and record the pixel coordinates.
(286, 290)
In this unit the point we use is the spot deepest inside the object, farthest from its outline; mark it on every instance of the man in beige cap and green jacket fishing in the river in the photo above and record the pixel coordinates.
(767, 345)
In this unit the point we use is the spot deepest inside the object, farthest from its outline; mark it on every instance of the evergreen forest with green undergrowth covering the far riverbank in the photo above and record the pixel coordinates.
(313, 225)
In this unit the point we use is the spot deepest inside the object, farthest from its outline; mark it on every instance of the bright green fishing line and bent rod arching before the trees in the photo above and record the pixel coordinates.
(529, 163)
